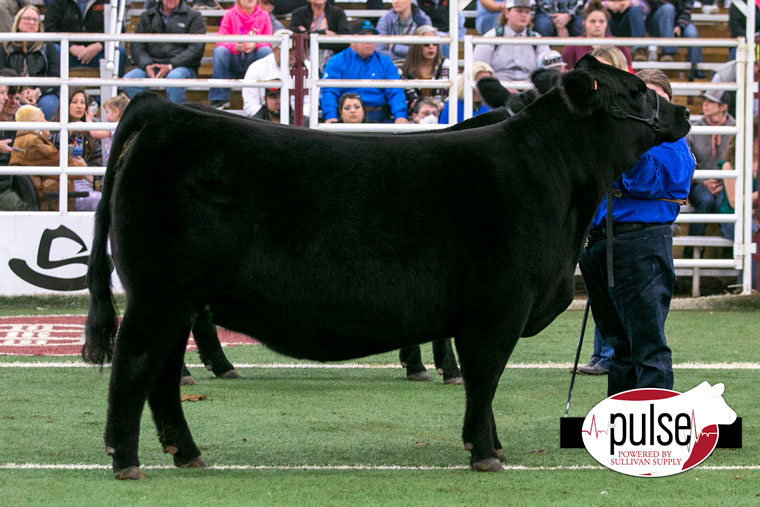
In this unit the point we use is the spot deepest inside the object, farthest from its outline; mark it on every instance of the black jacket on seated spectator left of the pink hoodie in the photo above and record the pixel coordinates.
(182, 20)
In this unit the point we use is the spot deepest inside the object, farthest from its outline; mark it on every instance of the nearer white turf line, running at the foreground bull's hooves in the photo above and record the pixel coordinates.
(516, 468)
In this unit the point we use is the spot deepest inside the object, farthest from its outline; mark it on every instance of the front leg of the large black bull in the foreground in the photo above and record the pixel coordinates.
(481, 372)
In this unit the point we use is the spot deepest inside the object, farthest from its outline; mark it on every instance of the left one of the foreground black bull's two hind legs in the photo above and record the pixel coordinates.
(145, 339)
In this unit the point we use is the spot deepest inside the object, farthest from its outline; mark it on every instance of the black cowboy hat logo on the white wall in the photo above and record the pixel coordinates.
(21, 269)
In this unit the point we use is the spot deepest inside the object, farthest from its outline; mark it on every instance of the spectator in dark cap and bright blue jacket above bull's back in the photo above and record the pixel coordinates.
(361, 61)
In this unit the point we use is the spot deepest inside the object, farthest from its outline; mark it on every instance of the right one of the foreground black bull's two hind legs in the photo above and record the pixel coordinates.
(165, 404)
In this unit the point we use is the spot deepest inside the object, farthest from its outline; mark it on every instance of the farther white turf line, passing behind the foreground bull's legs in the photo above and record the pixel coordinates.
(354, 366)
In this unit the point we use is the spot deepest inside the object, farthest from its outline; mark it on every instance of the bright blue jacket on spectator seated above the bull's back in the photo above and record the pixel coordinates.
(349, 65)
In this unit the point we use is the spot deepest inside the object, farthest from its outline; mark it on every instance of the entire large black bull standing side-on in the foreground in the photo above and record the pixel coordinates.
(331, 247)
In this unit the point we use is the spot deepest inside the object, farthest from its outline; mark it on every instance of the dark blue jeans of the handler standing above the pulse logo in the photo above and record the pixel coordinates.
(631, 315)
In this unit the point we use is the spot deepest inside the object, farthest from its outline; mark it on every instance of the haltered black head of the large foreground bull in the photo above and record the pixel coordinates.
(593, 87)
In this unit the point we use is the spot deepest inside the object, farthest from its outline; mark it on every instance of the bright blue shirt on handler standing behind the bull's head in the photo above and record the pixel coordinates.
(664, 171)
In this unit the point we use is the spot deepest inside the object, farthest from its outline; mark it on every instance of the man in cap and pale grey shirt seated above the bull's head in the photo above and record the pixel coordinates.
(512, 63)
